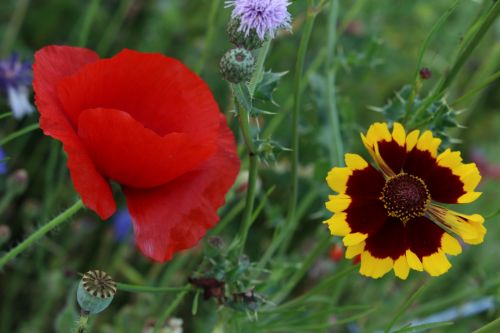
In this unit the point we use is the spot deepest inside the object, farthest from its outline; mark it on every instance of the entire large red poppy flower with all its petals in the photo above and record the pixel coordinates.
(148, 123)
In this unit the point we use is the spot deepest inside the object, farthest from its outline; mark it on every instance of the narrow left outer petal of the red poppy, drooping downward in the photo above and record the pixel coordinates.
(52, 64)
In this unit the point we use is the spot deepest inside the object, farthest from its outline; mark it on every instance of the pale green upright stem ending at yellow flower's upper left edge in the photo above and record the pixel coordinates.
(336, 151)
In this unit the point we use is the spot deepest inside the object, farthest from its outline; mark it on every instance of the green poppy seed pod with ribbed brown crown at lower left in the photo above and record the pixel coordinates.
(95, 291)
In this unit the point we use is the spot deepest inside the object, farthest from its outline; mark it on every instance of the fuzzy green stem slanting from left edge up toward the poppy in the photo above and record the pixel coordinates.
(63, 217)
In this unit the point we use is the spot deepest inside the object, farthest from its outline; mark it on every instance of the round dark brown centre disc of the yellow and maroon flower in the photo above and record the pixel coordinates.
(405, 196)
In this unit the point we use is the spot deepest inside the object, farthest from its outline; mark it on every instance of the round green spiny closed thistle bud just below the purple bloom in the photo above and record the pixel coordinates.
(237, 65)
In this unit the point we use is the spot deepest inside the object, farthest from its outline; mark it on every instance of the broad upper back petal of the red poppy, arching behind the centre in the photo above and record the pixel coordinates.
(159, 92)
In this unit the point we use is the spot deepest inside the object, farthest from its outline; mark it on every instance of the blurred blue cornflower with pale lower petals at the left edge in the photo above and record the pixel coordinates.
(15, 80)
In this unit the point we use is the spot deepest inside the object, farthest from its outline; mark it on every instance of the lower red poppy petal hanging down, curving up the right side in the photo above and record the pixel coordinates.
(177, 215)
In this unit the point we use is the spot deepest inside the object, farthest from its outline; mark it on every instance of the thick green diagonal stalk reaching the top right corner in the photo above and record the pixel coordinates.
(464, 54)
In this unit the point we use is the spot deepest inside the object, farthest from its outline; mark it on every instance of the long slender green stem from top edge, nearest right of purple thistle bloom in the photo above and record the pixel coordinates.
(291, 222)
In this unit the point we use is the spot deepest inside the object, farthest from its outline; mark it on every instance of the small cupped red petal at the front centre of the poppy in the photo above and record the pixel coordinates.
(134, 156)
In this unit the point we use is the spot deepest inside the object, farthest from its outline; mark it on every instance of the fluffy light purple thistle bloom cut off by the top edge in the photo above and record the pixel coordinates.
(265, 16)
